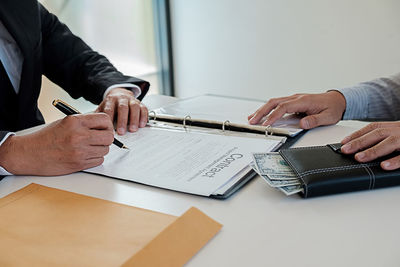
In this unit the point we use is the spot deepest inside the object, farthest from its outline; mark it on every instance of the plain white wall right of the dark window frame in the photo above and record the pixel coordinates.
(267, 48)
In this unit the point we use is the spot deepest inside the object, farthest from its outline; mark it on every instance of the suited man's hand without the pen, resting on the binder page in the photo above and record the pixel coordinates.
(121, 105)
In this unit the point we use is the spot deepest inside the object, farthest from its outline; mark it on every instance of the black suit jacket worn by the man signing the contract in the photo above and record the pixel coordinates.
(49, 48)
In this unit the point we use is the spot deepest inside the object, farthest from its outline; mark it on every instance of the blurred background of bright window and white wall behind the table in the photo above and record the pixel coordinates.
(246, 48)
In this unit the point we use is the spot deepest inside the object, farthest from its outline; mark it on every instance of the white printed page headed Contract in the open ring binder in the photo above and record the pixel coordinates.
(187, 161)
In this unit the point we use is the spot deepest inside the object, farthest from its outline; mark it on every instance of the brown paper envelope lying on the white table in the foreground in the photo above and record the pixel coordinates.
(42, 226)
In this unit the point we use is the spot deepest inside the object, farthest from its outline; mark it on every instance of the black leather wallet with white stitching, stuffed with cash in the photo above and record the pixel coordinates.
(325, 170)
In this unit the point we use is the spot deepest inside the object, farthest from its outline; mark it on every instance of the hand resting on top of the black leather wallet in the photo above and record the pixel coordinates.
(376, 140)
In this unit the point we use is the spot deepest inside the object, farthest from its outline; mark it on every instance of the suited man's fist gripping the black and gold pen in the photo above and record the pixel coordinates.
(65, 146)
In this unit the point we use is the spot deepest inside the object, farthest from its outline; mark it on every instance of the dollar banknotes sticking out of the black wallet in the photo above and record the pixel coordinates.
(276, 172)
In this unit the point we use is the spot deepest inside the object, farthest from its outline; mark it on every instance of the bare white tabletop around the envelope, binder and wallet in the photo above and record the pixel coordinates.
(262, 227)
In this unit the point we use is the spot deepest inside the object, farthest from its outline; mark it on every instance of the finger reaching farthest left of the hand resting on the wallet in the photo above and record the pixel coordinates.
(367, 140)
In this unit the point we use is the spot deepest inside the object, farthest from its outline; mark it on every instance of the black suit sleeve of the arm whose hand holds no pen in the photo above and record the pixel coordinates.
(72, 64)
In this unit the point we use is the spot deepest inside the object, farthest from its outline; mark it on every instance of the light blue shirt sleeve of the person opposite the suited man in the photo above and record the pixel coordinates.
(378, 99)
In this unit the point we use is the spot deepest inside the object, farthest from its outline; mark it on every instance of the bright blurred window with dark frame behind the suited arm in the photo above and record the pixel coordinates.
(127, 32)
